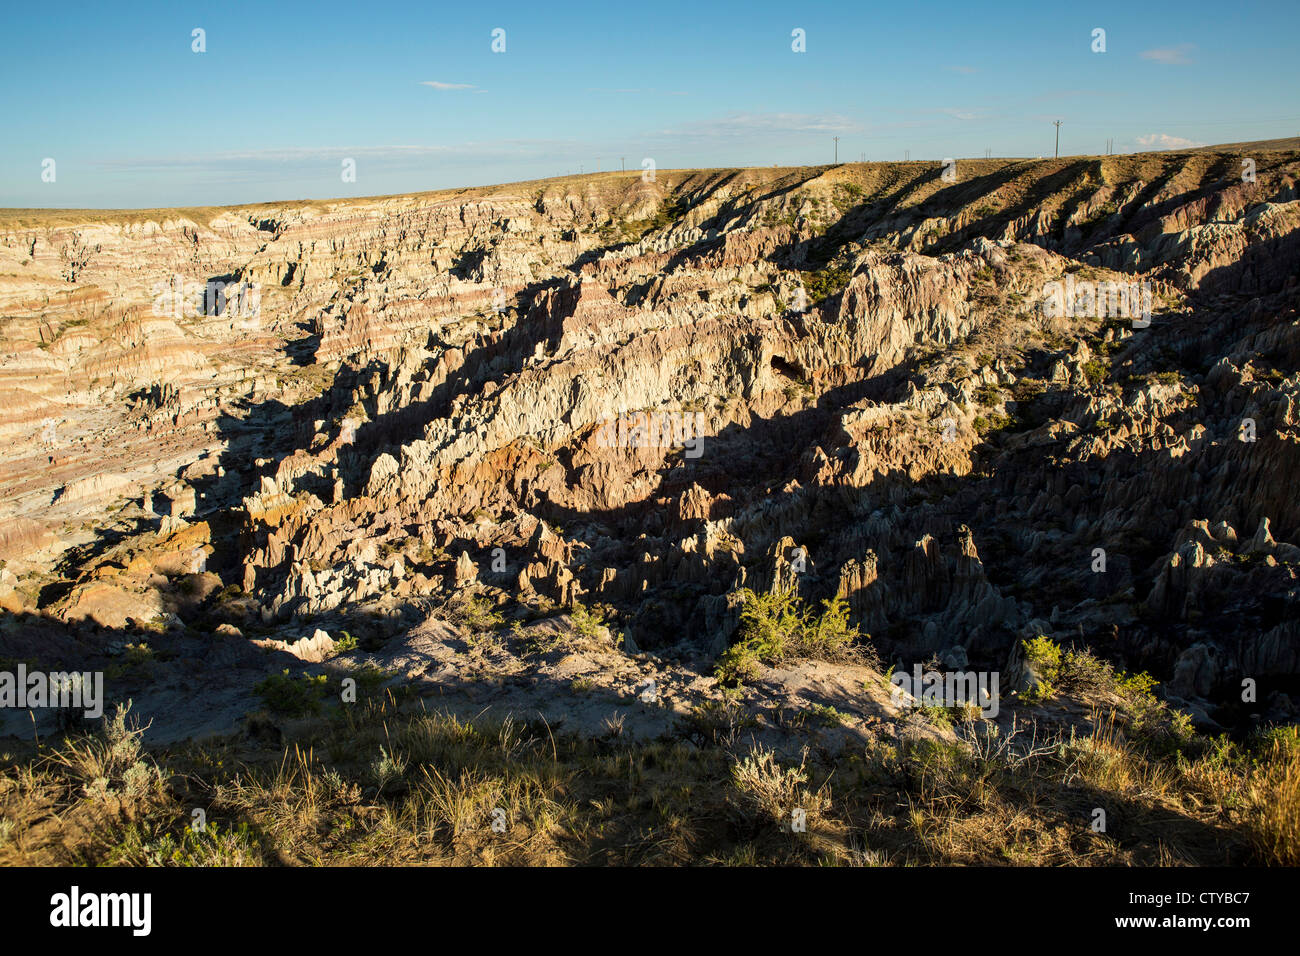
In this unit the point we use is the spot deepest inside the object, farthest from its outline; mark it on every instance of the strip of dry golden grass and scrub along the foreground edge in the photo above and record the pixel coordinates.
(385, 782)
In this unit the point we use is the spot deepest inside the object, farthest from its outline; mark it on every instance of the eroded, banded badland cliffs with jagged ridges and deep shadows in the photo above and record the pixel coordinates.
(861, 380)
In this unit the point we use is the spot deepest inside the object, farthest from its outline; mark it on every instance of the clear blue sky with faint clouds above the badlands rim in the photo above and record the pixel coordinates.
(418, 100)
